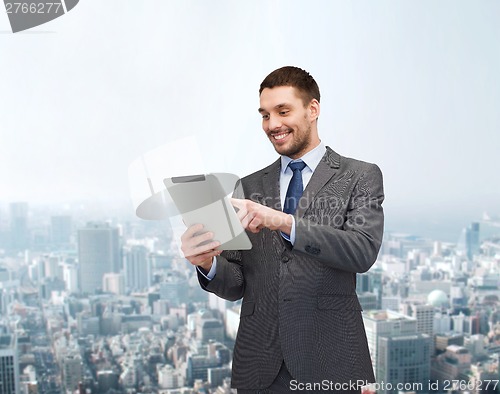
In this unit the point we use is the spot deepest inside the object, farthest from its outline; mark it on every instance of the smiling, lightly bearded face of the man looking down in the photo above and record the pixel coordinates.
(289, 125)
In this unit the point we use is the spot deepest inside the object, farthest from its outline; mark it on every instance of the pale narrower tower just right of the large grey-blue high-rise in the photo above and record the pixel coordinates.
(137, 268)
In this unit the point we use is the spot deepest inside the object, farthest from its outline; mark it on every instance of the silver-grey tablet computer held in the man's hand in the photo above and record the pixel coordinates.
(202, 199)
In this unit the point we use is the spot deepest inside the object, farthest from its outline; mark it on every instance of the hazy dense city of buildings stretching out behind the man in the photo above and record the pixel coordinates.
(430, 310)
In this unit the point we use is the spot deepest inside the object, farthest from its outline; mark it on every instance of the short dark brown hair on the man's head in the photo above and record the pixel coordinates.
(293, 76)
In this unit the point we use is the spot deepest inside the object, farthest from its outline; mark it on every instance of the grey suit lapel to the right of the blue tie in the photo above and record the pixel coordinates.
(325, 170)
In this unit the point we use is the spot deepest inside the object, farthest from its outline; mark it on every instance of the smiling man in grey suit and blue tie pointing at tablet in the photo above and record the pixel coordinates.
(300, 323)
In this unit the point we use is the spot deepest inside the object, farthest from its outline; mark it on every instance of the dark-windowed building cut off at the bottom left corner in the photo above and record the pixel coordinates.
(9, 365)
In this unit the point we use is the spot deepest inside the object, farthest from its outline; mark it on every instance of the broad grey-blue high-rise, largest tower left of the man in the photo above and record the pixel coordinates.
(98, 253)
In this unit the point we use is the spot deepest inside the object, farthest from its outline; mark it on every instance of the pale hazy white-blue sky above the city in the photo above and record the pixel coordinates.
(413, 86)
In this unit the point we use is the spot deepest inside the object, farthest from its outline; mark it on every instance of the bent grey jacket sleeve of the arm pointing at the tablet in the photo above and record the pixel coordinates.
(353, 246)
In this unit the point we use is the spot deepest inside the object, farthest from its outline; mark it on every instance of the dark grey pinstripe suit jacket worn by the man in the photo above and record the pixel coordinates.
(299, 303)
